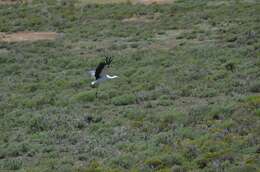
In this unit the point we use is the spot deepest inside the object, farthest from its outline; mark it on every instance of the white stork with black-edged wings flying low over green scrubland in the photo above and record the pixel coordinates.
(99, 74)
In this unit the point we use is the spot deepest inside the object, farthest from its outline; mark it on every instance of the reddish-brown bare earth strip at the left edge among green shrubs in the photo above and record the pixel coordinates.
(27, 36)
